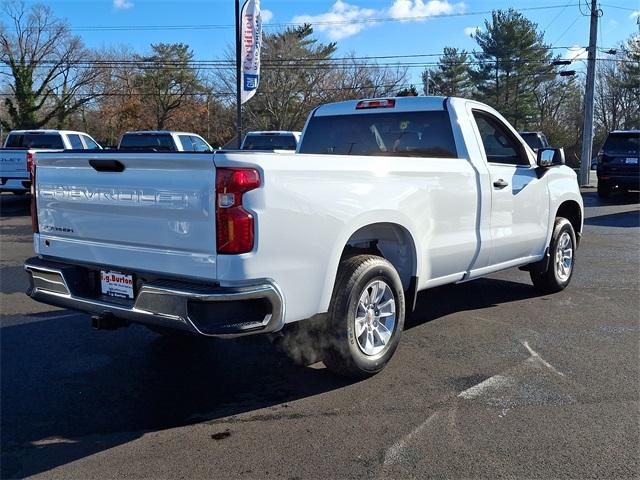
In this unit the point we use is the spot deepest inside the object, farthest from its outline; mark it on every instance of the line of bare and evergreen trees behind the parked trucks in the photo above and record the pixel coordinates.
(51, 79)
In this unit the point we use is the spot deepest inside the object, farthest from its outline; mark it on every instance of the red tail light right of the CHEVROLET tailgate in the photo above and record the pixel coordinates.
(234, 225)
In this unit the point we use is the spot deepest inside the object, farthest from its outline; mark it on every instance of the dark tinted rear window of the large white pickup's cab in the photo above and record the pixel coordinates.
(415, 134)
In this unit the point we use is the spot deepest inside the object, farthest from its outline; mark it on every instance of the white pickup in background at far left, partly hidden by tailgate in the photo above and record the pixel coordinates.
(20, 147)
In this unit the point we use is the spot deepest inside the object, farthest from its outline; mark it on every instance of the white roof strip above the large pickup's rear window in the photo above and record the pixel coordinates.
(401, 104)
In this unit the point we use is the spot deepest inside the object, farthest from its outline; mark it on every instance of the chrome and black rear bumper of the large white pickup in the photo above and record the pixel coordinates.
(214, 311)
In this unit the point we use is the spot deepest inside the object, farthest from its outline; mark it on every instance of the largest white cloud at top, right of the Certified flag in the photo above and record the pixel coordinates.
(344, 20)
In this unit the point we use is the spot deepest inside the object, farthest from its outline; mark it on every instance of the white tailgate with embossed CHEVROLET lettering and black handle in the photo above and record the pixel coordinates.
(150, 212)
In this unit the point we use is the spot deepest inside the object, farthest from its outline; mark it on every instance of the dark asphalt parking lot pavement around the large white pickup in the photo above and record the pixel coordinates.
(491, 380)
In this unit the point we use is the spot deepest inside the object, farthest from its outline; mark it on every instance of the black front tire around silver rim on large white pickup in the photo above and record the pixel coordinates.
(551, 280)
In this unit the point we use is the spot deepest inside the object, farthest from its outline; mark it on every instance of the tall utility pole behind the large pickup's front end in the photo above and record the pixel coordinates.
(587, 129)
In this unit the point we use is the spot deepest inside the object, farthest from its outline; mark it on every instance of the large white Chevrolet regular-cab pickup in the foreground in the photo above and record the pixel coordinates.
(383, 198)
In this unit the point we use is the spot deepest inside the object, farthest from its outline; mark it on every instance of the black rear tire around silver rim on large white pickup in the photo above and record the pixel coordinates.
(343, 353)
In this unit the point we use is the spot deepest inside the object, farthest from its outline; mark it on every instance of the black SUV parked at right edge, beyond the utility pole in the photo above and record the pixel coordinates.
(619, 162)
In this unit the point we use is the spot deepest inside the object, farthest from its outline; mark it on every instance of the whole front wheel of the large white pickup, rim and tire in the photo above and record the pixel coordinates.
(562, 251)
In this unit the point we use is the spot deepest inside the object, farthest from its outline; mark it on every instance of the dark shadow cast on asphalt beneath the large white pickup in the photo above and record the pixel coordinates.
(69, 392)
